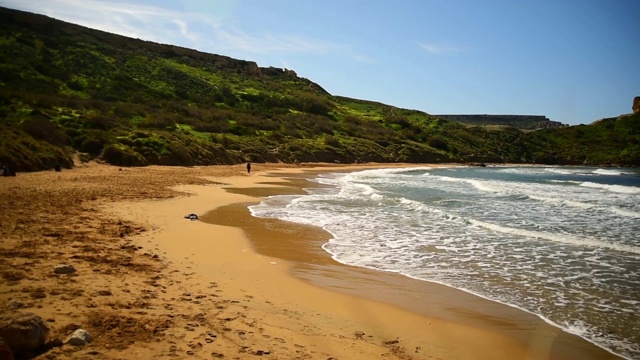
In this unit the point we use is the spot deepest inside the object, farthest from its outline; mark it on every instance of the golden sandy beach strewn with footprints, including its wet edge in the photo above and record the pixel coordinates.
(152, 284)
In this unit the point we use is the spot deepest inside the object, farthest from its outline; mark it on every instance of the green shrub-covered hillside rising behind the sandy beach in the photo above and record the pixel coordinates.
(67, 89)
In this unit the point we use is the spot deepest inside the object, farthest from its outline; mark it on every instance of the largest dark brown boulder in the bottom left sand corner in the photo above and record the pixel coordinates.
(23, 331)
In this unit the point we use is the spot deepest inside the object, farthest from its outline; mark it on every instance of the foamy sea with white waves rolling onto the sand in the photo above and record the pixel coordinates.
(562, 243)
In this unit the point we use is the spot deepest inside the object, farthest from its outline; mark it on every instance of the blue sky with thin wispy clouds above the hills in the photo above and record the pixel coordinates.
(575, 61)
